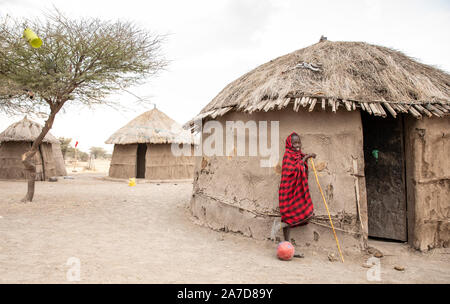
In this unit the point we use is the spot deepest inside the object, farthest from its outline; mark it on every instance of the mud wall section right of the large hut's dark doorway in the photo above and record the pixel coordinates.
(428, 181)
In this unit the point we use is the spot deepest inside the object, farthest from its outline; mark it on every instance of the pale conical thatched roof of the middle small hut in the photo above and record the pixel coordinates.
(153, 127)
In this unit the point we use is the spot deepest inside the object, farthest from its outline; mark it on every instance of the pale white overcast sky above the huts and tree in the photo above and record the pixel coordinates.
(211, 43)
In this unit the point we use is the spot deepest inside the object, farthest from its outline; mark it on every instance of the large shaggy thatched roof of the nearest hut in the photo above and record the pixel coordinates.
(342, 76)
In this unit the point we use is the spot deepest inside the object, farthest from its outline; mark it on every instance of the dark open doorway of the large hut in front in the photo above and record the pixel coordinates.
(384, 157)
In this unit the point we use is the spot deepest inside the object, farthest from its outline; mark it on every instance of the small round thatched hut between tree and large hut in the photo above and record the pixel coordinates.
(143, 149)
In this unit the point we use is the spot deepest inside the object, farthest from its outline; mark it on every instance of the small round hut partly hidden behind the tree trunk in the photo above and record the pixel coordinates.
(17, 139)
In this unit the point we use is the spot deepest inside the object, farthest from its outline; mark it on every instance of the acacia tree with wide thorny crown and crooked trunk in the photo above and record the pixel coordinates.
(80, 61)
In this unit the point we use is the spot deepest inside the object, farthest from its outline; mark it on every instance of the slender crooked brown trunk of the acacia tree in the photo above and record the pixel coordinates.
(27, 158)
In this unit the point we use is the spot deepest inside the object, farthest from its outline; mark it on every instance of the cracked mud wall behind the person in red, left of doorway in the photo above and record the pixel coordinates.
(234, 193)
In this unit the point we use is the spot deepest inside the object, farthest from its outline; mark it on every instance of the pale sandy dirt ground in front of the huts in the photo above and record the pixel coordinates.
(144, 234)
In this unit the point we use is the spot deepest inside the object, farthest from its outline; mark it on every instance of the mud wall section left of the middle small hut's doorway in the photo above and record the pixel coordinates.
(123, 161)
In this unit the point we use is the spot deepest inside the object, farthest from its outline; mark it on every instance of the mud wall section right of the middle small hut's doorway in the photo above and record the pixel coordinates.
(161, 164)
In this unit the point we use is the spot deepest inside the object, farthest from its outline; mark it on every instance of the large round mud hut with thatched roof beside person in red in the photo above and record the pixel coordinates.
(378, 122)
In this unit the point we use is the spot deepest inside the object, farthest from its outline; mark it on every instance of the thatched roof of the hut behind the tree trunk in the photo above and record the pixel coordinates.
(25, 130)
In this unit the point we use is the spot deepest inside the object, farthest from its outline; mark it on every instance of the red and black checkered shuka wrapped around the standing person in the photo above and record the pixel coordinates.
(296, 207)
